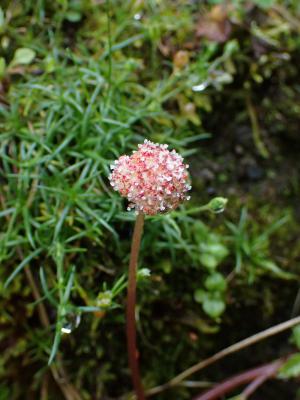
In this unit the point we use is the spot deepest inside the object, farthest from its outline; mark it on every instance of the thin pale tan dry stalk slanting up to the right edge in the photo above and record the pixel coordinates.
(224, 353)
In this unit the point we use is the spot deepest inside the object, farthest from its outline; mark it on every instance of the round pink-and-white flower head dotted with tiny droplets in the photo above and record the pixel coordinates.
(153, 178)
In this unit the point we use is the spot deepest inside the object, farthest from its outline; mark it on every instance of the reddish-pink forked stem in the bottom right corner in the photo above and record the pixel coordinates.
(256, 376)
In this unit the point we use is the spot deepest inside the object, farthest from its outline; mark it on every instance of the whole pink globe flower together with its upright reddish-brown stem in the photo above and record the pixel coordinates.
(155, 180)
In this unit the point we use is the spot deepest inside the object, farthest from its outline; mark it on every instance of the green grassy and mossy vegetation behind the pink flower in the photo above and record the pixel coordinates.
(83, 81)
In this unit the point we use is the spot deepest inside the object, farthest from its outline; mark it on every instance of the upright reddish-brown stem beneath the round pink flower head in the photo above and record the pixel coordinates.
(130, 312)
